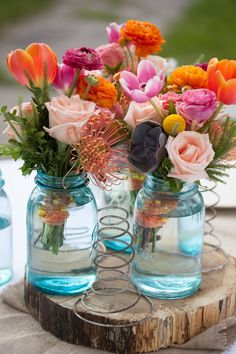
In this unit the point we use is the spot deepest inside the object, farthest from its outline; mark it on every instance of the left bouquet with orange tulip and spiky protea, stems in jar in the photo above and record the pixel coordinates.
(74, 132)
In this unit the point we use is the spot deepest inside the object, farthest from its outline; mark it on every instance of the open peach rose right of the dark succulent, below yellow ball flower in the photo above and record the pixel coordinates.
(190, 152)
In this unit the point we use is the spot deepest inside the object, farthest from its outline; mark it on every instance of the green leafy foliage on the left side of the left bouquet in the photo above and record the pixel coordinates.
(33, 145)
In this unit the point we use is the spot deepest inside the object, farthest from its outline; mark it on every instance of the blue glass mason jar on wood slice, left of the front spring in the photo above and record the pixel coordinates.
(61, 229)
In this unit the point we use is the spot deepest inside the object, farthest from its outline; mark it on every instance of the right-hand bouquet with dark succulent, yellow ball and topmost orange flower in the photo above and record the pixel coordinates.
(180, 131)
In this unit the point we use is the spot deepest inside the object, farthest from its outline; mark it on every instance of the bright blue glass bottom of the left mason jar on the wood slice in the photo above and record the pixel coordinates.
(61, 285)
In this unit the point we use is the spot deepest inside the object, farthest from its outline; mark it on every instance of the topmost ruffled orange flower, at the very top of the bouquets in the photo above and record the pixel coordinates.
(144, 35)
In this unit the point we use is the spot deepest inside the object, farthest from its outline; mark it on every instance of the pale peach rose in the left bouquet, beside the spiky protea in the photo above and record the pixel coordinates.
(67, 116)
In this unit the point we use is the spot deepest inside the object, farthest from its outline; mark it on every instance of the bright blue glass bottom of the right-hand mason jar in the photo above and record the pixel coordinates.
(167, 287)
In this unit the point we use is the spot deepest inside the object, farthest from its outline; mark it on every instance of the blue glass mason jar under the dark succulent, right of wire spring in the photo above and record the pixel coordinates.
(168, 239)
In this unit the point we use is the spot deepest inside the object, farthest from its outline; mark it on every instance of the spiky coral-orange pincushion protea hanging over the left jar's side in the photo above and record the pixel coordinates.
(97, 155)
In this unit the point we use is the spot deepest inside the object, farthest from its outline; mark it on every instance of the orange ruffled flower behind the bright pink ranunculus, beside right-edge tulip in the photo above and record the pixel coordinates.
(187, 76)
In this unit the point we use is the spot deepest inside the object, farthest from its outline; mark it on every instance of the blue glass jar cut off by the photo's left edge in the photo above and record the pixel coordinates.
(5, 236)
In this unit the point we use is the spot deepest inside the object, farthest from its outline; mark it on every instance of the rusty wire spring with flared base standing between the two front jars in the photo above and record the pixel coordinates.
(113, 270)
